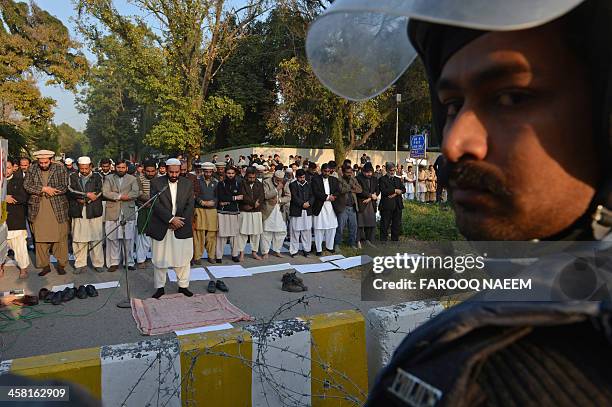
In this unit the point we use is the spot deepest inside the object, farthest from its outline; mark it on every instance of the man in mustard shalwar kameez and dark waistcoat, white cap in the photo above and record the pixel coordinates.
(205, 224)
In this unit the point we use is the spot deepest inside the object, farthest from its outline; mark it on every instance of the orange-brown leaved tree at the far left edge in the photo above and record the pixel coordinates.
(33, 41)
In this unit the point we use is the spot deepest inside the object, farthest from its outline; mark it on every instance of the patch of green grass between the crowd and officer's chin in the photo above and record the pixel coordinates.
(429, 222)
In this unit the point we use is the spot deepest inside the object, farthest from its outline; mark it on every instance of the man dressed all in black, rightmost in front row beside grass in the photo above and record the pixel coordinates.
(391, 203)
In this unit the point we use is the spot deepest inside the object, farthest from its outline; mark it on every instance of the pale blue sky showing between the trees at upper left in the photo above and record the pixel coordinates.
(65, 110)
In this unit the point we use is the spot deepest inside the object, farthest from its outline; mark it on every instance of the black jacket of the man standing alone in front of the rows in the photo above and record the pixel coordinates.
(162, 208)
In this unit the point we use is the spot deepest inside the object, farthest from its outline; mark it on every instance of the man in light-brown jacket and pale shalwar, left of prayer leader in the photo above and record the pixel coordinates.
(121, 191)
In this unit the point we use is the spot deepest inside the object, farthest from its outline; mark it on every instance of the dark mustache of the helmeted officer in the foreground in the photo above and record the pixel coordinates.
(475, 175)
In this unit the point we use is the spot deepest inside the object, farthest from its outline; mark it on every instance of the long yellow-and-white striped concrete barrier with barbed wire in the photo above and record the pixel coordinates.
(318, 361)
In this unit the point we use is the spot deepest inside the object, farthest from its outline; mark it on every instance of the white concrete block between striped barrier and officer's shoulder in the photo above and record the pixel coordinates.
(388, 326)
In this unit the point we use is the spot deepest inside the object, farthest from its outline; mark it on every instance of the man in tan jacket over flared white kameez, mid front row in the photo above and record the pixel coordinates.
(277, 197)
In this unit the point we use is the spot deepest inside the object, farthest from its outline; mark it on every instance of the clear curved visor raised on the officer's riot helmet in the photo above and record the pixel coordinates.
(358, 48)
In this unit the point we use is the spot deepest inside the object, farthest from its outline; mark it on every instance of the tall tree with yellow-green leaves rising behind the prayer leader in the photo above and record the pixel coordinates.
(196, 39)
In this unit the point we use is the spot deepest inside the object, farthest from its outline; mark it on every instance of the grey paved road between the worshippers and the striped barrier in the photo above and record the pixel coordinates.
(97, 321)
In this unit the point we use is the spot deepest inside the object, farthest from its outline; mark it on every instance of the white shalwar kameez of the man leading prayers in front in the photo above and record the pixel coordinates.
(172, 252)
